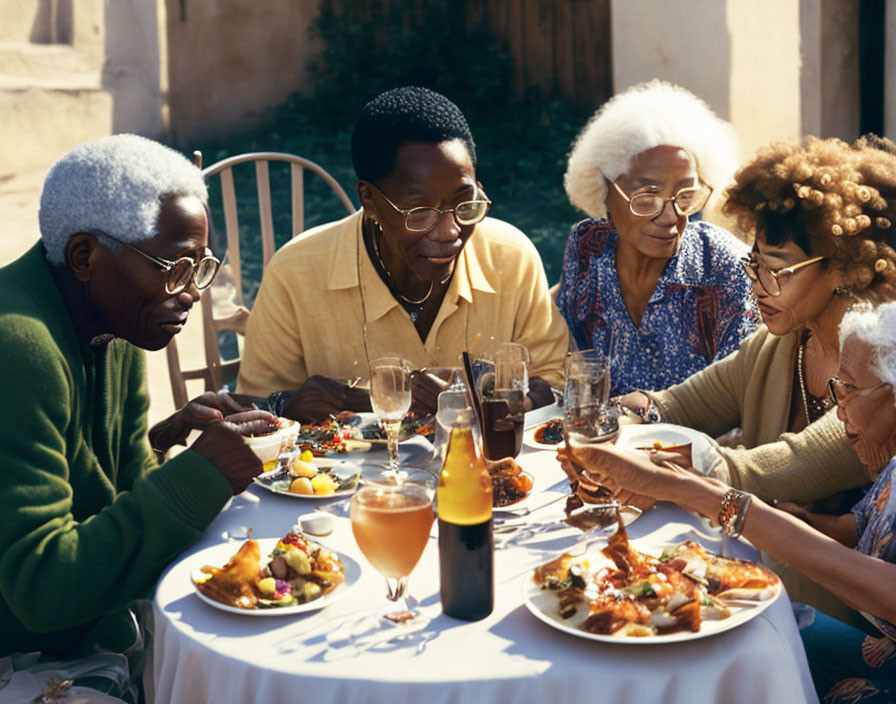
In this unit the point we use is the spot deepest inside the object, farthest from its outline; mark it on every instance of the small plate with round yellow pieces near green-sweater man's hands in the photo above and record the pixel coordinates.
(303, 476)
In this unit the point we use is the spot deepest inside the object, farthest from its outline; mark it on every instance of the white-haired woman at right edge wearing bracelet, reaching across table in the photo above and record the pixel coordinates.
(851, 553)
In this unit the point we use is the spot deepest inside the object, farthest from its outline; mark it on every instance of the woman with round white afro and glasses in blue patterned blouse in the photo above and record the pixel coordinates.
(661, 296)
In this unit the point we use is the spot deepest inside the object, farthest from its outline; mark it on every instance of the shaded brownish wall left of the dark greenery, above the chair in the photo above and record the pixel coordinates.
(227, 61)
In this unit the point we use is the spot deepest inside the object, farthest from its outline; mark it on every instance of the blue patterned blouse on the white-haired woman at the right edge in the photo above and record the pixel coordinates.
(875, 522)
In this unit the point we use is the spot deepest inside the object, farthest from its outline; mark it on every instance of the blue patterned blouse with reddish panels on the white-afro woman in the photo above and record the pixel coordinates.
(701, 310)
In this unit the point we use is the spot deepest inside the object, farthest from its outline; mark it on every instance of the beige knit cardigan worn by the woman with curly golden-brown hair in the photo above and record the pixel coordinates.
(752, 388)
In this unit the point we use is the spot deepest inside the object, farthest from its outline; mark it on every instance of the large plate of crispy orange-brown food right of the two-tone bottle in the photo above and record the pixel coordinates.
(621, 595)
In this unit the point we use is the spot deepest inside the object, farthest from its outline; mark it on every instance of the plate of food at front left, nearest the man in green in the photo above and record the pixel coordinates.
(272, 577)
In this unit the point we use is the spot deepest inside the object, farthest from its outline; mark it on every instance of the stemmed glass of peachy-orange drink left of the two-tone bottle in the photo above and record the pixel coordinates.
(391, 520)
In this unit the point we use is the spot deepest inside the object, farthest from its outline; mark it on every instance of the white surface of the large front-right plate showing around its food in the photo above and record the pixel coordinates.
(544, 605)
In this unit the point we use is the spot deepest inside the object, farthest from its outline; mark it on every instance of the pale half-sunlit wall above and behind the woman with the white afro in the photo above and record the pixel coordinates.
(742, 57)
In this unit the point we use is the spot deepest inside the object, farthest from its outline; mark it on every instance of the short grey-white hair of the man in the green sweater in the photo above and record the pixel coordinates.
(112, 185)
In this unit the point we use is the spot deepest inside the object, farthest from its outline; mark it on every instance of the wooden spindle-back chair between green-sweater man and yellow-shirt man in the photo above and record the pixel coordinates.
(221, 305)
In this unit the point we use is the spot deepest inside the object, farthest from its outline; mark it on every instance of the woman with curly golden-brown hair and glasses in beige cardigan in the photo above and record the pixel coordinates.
(823, 215)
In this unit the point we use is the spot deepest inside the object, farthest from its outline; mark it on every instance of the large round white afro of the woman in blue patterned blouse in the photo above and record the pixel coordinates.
(643, 117)
